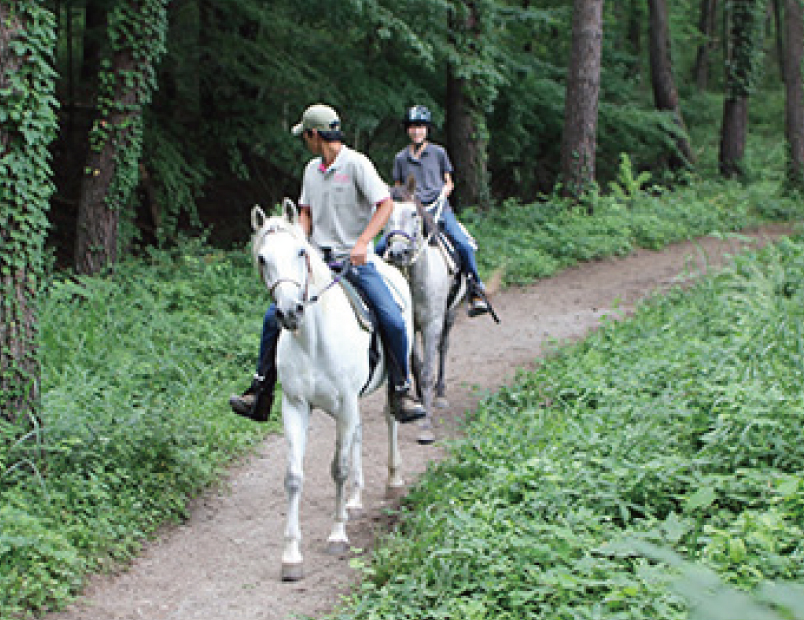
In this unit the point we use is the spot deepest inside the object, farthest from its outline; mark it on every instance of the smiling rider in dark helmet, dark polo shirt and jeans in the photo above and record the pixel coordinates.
(431, 167)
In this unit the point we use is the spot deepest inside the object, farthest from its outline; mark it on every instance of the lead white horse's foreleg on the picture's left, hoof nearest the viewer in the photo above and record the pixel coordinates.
(295, 417)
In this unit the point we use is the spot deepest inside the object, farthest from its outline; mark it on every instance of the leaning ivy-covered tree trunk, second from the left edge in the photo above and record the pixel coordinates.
(137, 31)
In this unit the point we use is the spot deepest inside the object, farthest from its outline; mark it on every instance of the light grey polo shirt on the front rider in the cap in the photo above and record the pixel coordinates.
(341, 199)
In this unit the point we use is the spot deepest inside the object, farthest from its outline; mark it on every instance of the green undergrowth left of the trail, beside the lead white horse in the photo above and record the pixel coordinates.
(134, 420)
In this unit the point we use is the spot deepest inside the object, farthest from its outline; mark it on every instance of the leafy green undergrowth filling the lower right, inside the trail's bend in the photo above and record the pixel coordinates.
(652, 471)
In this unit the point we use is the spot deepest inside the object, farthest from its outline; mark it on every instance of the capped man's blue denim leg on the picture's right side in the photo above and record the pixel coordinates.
(392, 323)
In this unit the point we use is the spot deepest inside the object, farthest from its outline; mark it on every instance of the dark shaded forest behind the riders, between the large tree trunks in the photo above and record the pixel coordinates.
(235, 75)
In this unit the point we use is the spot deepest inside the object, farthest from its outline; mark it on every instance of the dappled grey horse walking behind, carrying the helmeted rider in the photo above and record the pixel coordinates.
(437, 293)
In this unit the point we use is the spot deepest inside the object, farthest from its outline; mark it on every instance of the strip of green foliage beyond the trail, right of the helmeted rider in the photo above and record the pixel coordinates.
(528, 241)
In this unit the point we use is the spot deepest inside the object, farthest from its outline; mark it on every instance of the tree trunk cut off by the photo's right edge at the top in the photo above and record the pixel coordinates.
(794, 102)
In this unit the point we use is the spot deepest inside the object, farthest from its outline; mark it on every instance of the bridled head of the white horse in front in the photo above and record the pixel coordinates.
(282, 257)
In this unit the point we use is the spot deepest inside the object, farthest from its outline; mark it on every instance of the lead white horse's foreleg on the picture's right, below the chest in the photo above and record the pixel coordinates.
(346, 427)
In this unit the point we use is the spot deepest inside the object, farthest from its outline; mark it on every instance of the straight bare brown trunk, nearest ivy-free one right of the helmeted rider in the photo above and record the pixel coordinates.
(580, 108)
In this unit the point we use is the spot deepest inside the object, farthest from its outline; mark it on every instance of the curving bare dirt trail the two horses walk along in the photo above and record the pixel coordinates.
(223, 562)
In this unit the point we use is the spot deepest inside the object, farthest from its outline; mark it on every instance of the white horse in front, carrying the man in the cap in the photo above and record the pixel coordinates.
(322, 362)
